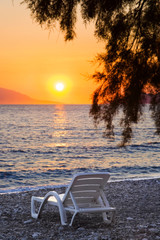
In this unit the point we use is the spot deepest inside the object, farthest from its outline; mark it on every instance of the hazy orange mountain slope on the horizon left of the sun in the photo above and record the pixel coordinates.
(12, 97)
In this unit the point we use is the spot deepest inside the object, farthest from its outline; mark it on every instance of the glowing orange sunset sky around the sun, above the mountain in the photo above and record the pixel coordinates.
(32, 60)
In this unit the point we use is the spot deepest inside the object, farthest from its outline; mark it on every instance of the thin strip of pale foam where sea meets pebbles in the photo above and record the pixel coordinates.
(45, 187)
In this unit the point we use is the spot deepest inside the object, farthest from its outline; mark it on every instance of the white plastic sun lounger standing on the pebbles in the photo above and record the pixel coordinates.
(84, 195)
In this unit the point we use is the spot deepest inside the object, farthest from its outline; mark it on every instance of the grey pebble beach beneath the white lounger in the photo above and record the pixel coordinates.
(137, 205)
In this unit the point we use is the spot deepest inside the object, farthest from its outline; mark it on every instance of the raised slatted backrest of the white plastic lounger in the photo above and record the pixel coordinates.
(85, 188)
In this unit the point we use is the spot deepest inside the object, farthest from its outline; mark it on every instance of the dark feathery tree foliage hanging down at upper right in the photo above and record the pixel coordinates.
(130, 66)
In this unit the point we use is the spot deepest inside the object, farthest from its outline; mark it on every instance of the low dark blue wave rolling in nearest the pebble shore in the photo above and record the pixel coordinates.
(61, 176)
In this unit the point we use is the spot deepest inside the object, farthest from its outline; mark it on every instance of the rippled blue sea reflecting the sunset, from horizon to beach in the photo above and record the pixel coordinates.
(46, 144)
